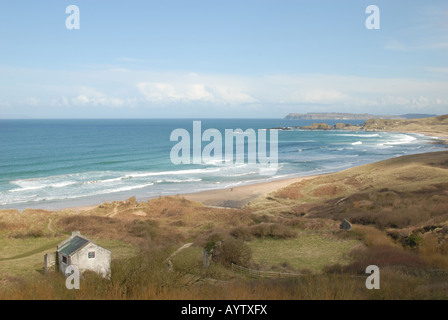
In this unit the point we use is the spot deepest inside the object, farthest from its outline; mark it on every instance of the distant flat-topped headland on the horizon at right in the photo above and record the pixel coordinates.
(351, 116)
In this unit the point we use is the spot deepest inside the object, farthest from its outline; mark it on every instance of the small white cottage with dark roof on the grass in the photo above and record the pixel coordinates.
(83, 253)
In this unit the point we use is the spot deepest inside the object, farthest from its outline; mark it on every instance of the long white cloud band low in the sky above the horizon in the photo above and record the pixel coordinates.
(225, 93)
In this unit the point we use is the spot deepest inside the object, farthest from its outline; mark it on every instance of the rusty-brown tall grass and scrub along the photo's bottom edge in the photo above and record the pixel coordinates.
(145, 276)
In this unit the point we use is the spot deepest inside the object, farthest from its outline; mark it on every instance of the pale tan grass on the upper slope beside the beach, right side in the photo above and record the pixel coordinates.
(407, 173)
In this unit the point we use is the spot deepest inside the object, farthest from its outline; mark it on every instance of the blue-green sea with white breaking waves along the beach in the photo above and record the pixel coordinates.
(54, 164)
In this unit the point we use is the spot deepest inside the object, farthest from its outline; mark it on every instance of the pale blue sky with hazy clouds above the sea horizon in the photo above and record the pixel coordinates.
(221, 58)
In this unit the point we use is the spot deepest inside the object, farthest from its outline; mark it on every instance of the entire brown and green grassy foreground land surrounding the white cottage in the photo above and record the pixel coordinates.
(399, 214)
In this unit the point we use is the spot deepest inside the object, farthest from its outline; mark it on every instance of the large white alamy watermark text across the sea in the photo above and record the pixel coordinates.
(240, 147)
